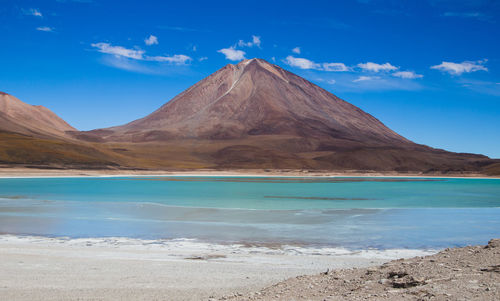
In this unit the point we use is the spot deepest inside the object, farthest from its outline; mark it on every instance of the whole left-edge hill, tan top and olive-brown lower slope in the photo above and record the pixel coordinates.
(35, 136)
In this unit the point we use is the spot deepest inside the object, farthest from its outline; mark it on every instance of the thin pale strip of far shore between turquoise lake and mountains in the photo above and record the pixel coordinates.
(15, 172)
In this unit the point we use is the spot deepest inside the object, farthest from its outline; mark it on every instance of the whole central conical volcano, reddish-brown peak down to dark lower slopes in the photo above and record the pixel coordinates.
(255, 114)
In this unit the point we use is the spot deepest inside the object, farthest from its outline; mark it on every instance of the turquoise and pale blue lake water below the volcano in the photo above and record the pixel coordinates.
(355, 213)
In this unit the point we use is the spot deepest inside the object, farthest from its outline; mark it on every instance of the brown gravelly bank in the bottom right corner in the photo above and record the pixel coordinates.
(469, 273)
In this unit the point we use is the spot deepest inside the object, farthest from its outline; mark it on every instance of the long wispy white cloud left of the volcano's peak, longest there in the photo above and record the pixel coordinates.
(120, 51)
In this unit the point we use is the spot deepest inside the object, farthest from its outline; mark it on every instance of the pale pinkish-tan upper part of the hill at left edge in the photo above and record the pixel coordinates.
(20, 117)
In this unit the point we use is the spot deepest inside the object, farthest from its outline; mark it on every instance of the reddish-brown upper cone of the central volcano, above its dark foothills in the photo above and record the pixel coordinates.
(254, 98)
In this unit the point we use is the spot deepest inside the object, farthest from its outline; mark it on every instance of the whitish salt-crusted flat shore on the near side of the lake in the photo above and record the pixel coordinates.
(37, 268)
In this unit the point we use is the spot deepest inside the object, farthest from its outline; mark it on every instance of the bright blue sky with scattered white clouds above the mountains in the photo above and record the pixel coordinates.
(429, 69)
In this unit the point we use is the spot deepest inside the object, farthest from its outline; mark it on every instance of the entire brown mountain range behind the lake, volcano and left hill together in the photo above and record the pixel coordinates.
(252, 115)
